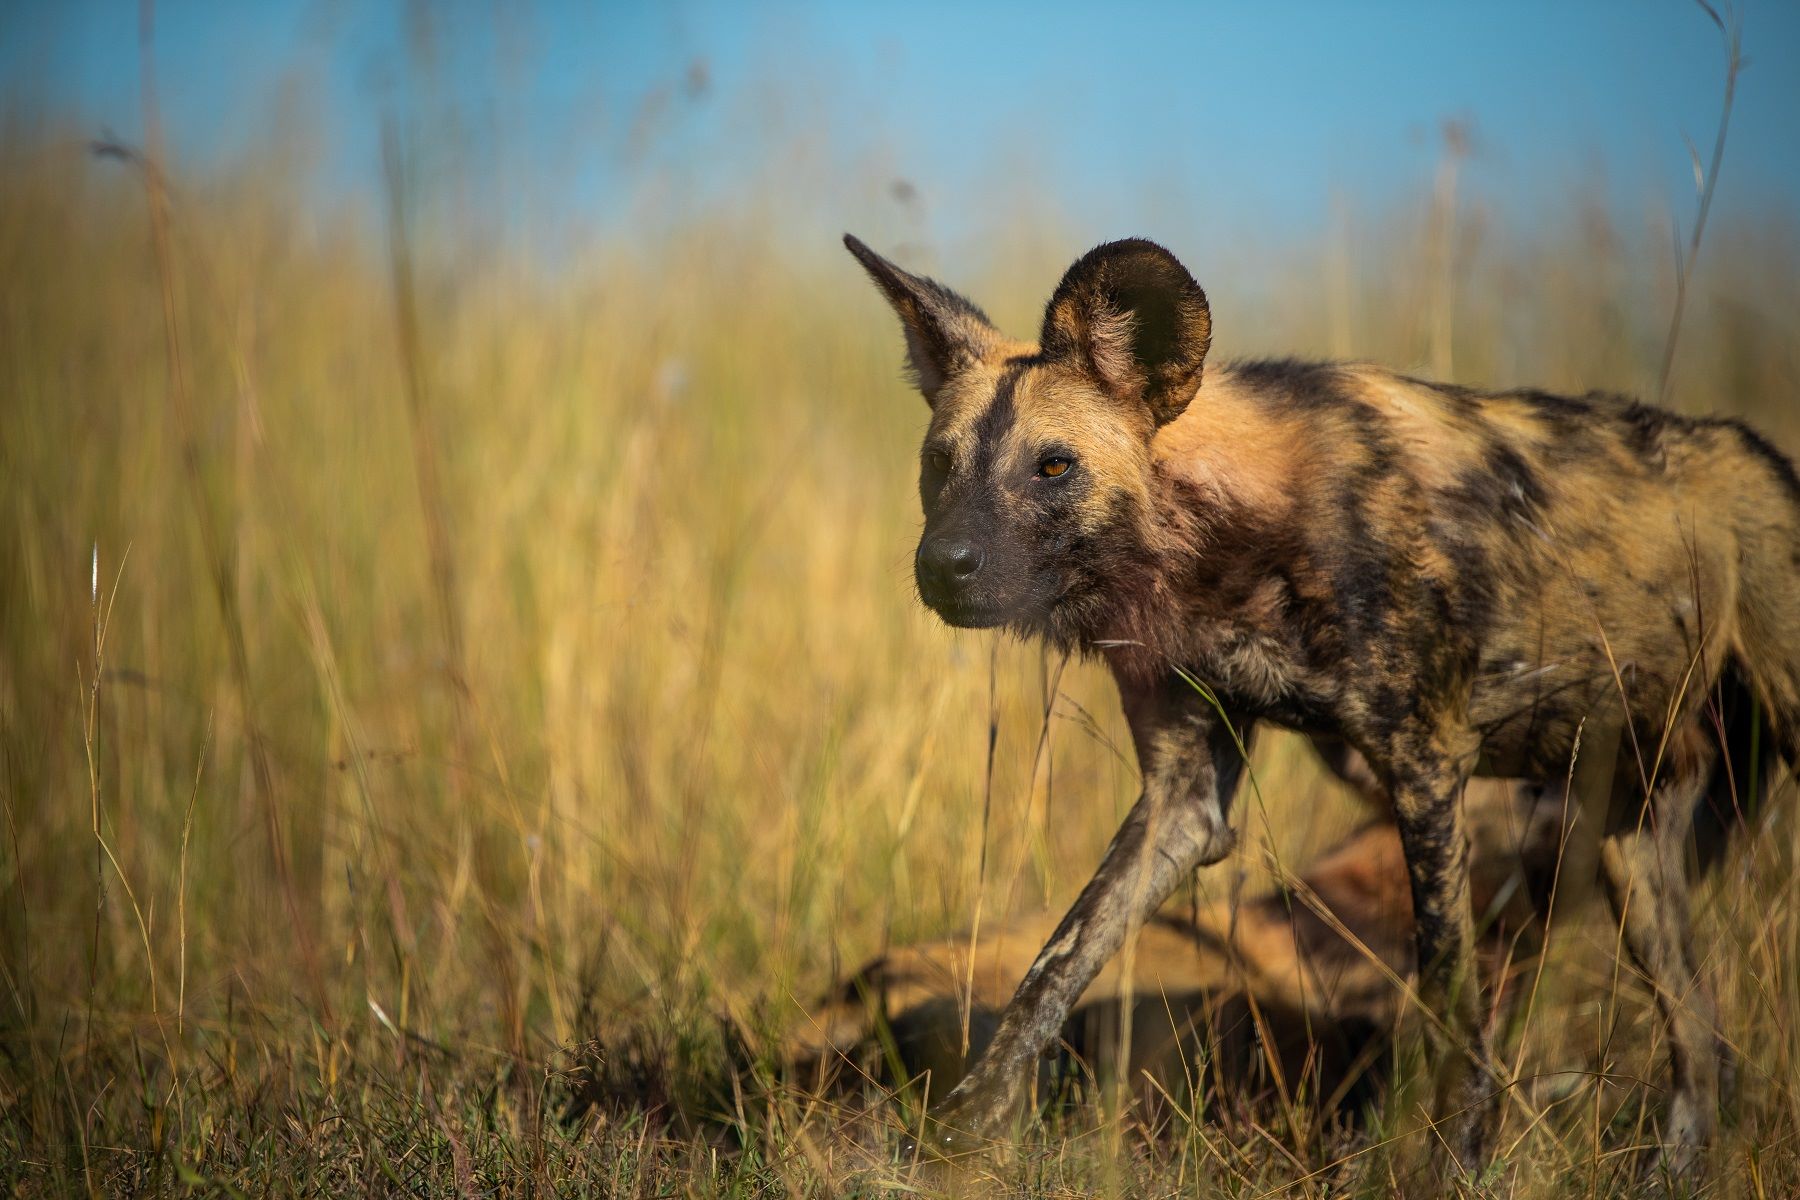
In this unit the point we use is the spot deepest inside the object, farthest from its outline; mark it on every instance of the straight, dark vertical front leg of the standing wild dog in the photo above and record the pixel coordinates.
(1426, 773)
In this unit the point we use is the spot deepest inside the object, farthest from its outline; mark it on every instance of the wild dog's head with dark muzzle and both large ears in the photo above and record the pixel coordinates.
(1036, 474)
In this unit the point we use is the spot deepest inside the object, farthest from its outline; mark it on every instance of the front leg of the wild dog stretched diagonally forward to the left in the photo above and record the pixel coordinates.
(1191, 766)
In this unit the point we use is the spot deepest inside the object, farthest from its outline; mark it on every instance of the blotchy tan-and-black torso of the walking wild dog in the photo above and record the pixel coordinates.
(1578, 548)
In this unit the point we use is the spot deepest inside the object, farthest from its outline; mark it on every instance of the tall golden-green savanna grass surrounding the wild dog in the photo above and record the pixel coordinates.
(440, 686)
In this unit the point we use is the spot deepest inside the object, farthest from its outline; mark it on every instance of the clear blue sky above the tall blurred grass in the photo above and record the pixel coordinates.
(1257, 116)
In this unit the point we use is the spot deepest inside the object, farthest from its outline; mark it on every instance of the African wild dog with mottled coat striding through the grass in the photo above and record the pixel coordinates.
(1435, 580)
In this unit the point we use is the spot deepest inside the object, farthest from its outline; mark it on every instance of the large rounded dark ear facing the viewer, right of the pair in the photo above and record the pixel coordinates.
(1131, 316)
